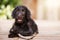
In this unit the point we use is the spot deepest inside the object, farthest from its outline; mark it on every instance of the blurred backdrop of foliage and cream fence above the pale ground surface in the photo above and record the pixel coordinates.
(40, 9)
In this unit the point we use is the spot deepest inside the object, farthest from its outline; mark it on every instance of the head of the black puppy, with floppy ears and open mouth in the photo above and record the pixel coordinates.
(20, 13)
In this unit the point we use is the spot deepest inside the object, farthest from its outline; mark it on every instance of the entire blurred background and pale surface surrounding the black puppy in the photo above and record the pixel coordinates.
(46, 14)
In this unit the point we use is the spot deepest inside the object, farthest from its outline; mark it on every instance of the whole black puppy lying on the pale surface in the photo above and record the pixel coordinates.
(24, 26)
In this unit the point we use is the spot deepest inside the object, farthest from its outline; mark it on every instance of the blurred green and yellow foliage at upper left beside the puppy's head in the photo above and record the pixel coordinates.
(6, 7)
